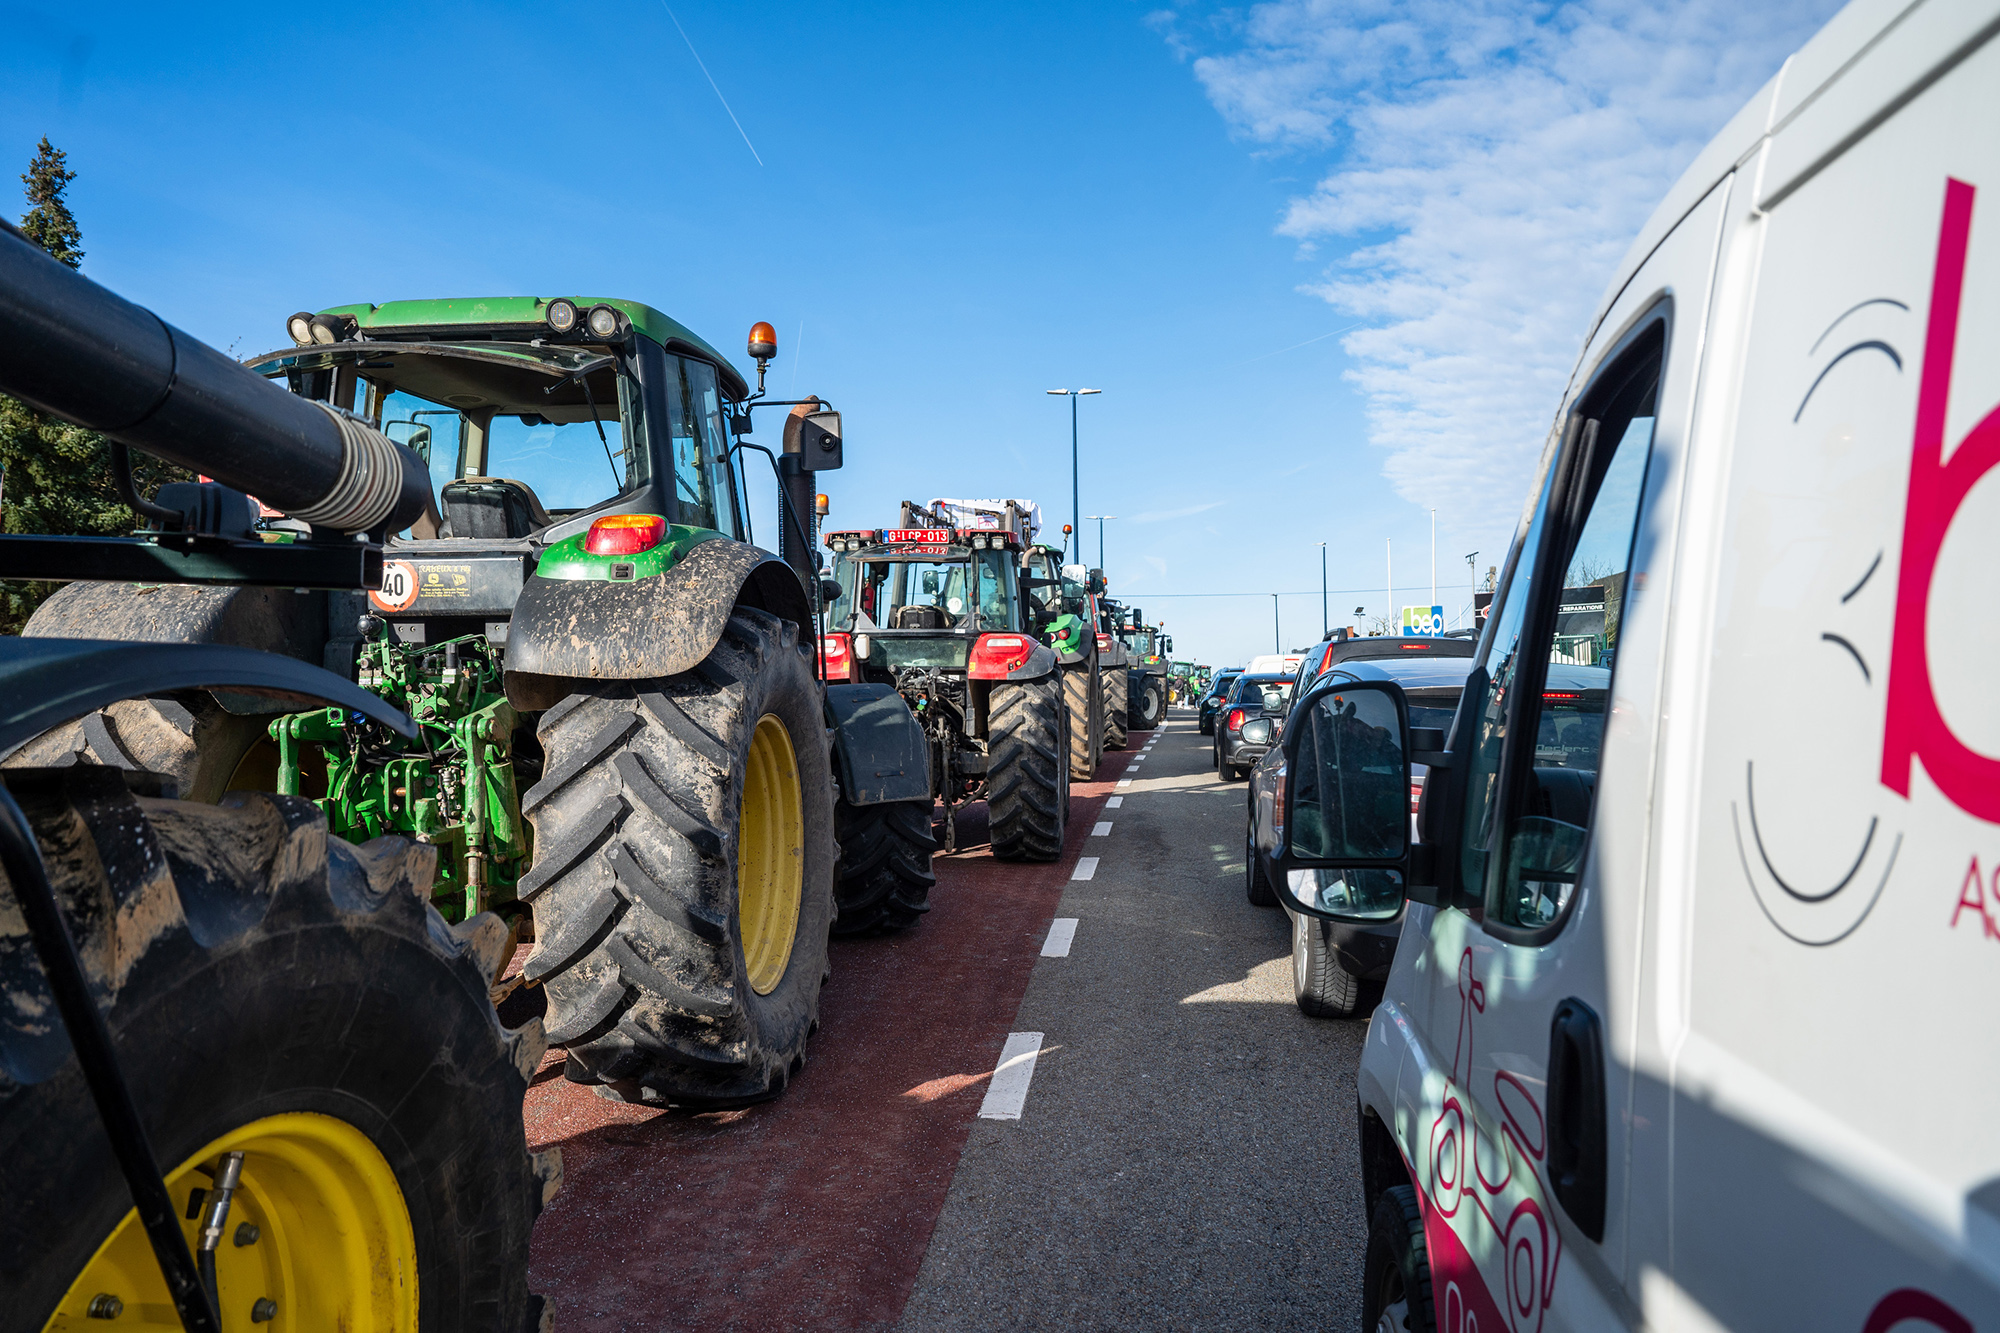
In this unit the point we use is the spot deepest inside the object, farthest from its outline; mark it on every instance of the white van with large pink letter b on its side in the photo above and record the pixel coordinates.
(1693, 1018)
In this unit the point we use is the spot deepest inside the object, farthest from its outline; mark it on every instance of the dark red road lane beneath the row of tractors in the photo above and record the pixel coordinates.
(813, 1210)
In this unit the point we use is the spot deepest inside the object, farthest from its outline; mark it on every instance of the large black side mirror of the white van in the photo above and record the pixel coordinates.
(1341, 830)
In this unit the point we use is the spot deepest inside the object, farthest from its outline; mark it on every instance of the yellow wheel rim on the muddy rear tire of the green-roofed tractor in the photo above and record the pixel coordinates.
(771, 856)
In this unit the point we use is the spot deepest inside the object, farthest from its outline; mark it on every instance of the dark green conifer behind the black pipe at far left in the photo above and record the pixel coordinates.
(57, 477)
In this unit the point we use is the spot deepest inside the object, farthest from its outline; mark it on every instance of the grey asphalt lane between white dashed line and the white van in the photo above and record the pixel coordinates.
(1185, 1158)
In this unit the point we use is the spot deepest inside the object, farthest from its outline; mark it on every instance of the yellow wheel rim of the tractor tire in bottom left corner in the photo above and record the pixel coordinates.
(333, 1244)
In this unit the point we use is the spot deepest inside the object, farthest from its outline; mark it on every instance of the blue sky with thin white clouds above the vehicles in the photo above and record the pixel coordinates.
(1329, 263)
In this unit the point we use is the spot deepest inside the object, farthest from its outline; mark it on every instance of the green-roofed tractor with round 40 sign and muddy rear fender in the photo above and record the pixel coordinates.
(625, 748)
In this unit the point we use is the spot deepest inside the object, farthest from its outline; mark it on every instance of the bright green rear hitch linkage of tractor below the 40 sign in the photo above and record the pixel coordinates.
(451, 788)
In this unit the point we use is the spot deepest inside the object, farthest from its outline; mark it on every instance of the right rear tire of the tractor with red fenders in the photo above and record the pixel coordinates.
(1027, 772)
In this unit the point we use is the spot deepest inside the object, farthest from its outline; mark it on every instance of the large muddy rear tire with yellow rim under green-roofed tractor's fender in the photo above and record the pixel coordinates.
(683, 884)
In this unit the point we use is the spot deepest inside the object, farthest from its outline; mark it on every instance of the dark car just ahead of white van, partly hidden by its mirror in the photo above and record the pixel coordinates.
(1333, 960)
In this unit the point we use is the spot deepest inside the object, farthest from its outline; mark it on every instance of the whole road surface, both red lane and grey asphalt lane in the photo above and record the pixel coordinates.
(1183, 1160)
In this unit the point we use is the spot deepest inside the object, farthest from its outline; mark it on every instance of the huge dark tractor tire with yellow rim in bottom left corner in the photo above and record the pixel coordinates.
(291, 998)
